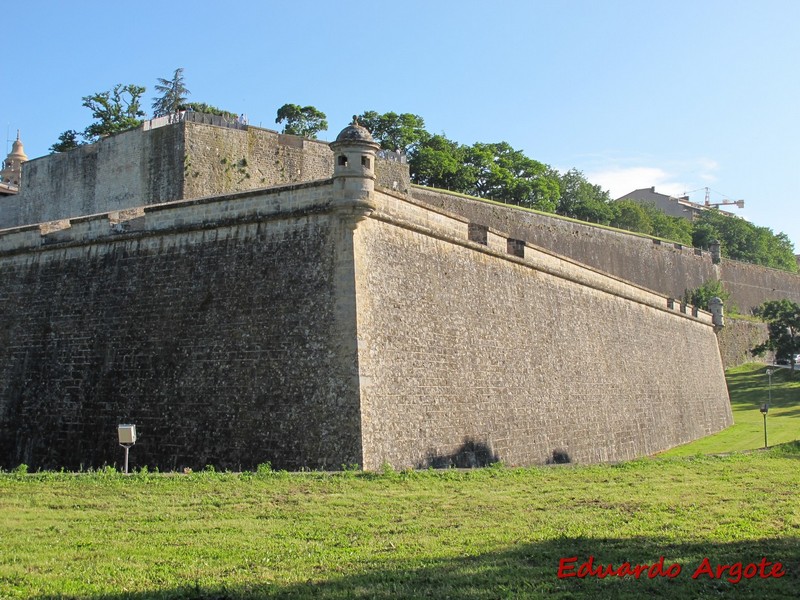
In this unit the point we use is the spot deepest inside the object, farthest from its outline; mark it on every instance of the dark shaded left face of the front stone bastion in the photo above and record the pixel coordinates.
(222, 329)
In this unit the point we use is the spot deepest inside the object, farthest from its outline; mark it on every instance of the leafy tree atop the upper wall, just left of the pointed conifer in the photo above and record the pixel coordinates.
(114, 111)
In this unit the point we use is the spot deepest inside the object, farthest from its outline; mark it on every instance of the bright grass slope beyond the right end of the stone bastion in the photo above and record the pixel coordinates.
(748, 386)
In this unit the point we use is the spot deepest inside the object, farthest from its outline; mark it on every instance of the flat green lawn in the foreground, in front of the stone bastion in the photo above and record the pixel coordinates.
(487, 533)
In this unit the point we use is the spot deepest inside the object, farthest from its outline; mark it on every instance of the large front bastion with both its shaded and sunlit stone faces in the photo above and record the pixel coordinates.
(282, 325)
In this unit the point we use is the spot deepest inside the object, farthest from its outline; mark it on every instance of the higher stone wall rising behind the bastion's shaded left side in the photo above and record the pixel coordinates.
(178, 161)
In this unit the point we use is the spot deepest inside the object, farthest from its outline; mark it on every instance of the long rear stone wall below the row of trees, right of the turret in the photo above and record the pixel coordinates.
(667, 268)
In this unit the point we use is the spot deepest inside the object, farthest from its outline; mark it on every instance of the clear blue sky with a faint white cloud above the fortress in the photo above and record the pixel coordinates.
(680, 95)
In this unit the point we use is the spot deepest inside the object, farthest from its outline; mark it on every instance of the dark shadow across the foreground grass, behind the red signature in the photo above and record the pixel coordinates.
(530, 571)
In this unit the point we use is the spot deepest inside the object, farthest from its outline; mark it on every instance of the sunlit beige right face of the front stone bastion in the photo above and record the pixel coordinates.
(470, 354)
